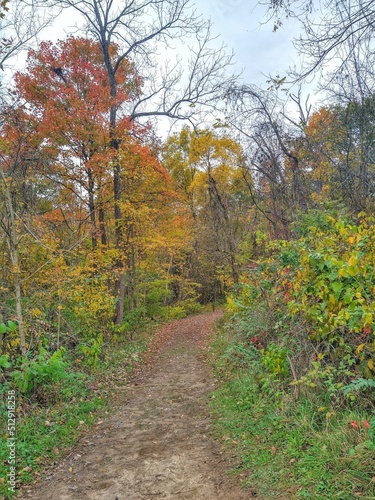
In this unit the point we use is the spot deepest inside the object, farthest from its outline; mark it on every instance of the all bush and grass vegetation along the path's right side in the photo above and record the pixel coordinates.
(295, 360)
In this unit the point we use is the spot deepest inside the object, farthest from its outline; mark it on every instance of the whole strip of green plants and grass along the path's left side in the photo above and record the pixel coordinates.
(57, 398)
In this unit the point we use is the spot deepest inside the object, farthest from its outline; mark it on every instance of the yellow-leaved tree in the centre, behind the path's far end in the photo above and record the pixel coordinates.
(206, 170)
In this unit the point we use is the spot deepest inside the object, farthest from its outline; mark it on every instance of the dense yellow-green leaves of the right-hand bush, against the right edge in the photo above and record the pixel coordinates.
(334, 287)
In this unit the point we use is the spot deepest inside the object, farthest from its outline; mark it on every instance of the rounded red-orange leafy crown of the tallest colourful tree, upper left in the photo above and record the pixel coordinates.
(68, 88)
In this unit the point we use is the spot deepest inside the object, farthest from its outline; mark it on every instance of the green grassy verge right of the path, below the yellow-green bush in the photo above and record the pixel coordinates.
(291, 442)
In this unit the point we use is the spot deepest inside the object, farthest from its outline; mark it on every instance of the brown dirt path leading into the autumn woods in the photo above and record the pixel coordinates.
(156, 444)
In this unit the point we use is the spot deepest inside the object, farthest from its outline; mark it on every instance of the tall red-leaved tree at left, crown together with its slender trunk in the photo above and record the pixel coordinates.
(66, 86)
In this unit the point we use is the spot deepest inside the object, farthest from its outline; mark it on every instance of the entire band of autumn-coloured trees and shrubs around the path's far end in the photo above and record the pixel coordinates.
(106, 225)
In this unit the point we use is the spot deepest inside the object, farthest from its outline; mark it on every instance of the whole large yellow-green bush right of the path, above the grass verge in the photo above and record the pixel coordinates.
(320, 294)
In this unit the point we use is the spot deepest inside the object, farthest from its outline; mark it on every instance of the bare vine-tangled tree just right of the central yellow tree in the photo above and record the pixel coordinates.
(264, 124)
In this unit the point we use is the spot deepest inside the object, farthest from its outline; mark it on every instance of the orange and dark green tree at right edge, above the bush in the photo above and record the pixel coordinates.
(339, 152)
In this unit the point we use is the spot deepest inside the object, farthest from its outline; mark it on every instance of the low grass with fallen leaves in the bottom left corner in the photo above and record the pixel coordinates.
(45, 431)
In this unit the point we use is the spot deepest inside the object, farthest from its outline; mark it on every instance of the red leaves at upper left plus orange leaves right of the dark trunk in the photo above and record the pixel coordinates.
(68, 92)
